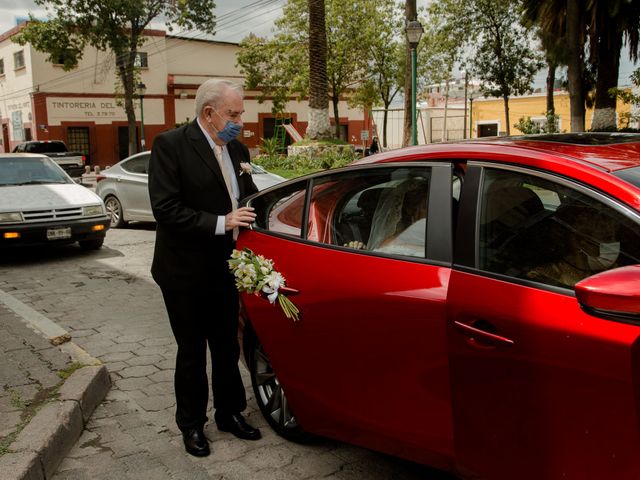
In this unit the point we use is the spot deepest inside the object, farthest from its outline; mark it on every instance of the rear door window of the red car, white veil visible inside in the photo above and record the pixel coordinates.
(382, 210)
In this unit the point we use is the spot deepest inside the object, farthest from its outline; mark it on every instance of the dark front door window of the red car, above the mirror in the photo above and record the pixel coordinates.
(536, 229)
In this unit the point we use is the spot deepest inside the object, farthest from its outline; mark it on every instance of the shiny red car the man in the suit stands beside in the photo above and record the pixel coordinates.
(473, 306)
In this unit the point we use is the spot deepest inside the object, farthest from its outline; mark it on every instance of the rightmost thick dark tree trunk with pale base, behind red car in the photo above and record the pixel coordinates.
(604, 115)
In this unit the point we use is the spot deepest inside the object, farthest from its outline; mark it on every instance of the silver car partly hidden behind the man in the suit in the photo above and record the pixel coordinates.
(124, 188)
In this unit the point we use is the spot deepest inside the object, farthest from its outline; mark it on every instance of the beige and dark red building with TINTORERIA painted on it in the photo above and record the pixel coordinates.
(39, 100)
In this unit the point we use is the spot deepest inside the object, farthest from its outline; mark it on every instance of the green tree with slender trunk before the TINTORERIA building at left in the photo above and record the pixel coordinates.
(114, 25)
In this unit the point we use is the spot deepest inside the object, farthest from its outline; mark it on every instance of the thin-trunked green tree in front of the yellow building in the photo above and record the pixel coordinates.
(504, 61)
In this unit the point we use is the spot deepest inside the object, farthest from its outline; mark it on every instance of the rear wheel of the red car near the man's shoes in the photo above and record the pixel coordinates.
(271, 398)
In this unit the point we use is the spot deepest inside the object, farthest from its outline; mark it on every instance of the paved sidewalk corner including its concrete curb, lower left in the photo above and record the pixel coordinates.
(47, 393)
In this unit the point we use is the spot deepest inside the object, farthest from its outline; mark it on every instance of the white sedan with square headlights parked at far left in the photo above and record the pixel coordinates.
(41, 204)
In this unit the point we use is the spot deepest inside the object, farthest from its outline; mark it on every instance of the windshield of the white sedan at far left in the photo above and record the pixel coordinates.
(30, 171)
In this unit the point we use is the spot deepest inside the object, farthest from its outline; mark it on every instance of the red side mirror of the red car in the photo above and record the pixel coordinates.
(614, 294)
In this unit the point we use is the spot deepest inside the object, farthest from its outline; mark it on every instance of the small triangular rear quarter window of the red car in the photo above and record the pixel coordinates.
(281, 210)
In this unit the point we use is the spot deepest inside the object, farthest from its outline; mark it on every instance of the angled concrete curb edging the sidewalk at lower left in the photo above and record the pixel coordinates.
(54, 430)
